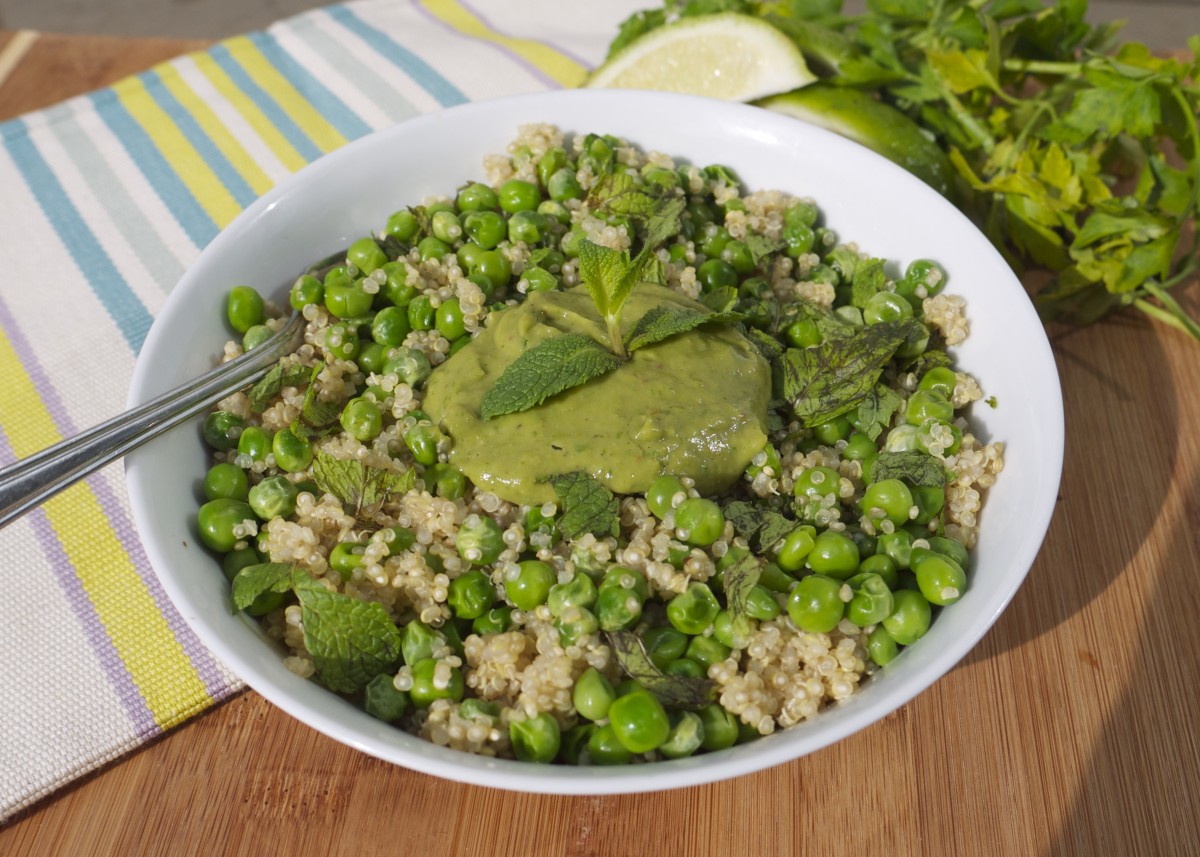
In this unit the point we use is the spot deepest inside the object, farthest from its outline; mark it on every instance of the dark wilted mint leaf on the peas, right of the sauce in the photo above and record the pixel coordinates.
(833, 377)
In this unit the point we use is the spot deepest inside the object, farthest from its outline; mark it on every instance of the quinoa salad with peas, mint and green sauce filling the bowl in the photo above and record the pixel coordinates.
(424, 508)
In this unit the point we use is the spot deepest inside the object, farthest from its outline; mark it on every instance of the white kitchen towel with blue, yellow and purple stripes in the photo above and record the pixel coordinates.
(105, 201)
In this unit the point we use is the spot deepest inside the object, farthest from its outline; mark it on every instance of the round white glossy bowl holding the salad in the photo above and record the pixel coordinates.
(863, 197)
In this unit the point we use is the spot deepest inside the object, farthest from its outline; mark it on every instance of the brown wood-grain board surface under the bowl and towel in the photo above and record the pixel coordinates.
(1070, 730)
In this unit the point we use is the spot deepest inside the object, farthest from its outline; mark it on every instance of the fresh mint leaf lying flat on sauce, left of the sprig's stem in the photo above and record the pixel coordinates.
(547, 370)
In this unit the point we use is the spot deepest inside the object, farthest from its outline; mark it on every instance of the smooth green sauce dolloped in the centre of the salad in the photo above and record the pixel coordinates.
(694, 405)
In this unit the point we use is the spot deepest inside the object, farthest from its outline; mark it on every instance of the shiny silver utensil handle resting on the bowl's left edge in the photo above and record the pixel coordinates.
(35, 480)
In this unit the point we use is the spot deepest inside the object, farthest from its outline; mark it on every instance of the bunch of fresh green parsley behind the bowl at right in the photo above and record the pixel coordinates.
(1079, 159)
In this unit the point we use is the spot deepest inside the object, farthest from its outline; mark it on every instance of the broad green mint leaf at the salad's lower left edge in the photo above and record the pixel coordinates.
(351, 642)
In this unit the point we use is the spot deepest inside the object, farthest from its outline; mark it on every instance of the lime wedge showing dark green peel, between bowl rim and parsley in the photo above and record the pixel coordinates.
(879, 127)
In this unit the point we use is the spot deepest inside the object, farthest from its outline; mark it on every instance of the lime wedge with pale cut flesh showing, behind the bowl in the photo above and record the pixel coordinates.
(730, 57)
